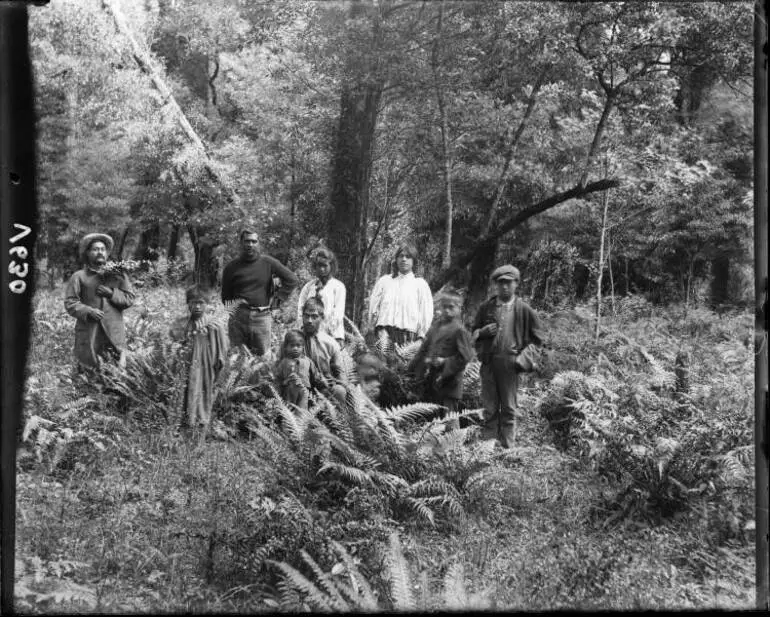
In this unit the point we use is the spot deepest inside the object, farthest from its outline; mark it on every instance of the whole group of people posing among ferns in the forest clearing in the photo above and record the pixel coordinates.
(504, 331)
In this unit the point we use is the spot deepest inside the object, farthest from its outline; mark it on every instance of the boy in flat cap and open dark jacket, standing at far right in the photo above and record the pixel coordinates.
(505, 326)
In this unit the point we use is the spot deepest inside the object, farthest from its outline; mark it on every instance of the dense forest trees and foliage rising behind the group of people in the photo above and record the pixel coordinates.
(529, 132)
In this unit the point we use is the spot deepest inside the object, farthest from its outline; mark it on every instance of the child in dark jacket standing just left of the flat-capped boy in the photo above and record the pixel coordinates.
(440, 362)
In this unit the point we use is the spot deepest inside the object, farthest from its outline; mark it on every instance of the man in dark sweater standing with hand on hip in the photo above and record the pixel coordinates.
(248, 280)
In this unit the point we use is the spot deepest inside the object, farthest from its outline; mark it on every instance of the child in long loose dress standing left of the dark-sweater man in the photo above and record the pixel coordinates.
(206, 351)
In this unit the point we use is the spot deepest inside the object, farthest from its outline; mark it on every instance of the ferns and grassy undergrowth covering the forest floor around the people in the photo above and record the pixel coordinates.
(374, 504)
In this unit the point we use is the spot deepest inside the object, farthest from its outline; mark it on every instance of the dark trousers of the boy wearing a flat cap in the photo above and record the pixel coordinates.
(499, 383)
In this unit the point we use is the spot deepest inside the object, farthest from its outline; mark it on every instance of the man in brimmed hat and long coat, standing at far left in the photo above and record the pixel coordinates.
(97, 300)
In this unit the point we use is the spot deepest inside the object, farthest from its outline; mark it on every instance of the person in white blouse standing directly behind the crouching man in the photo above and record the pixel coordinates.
(331, 291)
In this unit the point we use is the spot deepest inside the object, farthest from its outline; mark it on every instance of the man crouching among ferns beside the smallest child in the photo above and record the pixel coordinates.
(323, 350)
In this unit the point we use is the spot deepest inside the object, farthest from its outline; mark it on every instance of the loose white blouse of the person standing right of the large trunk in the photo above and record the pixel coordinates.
(404, 301)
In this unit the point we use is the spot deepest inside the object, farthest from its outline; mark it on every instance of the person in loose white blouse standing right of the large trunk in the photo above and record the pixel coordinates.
(402, 303)
